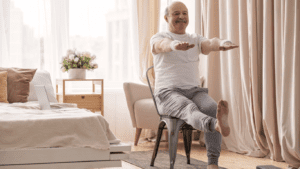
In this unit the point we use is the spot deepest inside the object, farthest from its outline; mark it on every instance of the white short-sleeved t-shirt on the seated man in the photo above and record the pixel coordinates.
(177, 68)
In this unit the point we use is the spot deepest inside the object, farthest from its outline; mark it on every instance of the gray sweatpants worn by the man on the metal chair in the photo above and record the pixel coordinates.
(197, 109)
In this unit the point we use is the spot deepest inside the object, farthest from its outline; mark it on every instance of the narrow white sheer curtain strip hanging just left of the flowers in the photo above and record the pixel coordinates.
(56, 35)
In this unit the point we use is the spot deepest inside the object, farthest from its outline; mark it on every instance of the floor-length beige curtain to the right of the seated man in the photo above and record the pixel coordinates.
(260, 79)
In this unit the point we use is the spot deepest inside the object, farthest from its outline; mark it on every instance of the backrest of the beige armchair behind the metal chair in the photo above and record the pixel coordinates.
(133, 93)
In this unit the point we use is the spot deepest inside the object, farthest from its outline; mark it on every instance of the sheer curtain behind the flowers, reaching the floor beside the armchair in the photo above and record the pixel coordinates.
(108, 29)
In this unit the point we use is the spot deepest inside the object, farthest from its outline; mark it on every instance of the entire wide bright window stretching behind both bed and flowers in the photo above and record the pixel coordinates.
(100, 27)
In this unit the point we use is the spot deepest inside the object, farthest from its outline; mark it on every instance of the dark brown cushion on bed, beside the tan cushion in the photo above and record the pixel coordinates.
(18, 80)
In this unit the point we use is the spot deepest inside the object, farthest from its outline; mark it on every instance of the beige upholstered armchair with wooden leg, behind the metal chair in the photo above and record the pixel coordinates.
(141, 107)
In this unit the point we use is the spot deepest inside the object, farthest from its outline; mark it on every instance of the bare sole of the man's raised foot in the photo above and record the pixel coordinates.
(222, 118)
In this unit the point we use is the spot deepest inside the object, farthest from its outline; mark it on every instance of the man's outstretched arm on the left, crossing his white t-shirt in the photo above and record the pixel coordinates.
(168, 45)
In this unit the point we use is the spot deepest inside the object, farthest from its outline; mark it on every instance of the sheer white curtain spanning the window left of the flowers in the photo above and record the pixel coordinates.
(34, 34)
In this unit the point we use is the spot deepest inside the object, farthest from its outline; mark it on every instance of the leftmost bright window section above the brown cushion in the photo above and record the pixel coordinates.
(24, 40)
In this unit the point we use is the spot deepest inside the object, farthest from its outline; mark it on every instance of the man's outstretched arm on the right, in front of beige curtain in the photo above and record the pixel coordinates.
(216, 44)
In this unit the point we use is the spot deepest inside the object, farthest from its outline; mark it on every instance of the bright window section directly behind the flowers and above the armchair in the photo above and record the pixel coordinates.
(103, 30)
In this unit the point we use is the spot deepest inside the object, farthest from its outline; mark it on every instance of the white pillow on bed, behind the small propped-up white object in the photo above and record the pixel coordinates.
(42, 77)
